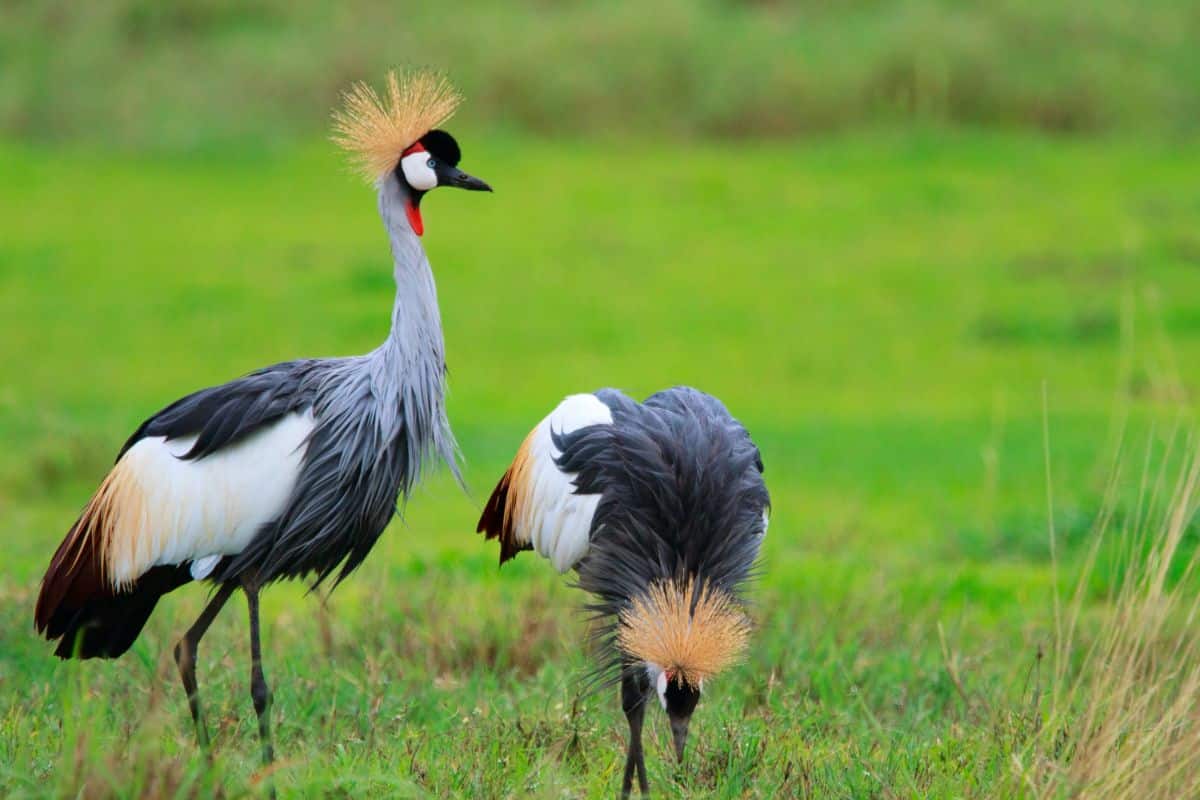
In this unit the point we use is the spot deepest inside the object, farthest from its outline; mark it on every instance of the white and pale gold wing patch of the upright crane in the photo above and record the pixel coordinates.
(159, 508)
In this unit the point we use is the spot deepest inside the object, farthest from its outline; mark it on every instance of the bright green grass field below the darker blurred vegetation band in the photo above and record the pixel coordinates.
(889, 314)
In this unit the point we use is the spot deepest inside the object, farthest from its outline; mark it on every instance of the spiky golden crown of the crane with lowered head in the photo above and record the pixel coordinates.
(694, 636)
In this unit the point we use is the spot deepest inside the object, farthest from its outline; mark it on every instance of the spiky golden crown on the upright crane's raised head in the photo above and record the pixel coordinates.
(377, 130)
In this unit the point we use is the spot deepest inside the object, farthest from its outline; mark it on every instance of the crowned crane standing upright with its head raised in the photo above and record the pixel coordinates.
(292, 471)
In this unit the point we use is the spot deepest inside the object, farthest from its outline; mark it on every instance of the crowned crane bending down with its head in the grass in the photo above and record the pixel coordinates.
(661, 508)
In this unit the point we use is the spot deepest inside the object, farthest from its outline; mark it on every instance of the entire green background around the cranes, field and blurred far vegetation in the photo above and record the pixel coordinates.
(914, 246)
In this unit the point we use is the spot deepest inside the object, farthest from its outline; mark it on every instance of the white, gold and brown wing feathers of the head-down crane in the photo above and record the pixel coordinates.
(536, 506)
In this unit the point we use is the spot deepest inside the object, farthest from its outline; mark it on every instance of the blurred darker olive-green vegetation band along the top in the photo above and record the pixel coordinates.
(197, 73)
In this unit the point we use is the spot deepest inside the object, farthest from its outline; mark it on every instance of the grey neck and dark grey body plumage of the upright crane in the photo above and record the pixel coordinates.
(379, 420)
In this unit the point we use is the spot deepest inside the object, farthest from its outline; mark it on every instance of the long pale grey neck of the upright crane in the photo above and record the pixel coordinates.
(409, 370)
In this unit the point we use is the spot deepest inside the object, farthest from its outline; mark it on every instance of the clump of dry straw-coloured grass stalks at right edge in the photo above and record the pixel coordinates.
(1125, 712)
